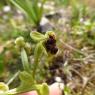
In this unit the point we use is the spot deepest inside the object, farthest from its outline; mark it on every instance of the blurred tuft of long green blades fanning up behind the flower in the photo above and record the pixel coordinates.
(31, 9)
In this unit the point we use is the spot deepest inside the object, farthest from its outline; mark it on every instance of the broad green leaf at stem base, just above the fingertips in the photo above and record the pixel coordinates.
(27, 82)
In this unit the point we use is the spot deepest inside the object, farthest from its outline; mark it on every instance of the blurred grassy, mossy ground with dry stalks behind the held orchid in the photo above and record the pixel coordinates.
(73, 21)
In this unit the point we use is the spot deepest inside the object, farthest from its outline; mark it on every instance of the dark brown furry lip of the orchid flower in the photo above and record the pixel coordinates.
(50, 45)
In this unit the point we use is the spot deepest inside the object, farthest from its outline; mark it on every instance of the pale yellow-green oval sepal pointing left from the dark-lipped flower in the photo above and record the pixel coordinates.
(36, 36)
